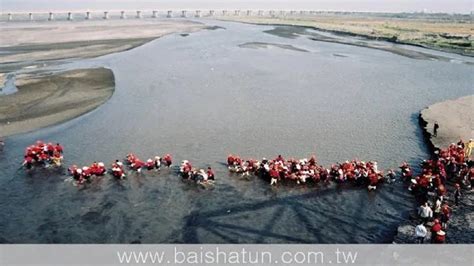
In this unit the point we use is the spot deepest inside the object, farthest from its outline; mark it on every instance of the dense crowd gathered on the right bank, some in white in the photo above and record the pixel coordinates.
(448, 166)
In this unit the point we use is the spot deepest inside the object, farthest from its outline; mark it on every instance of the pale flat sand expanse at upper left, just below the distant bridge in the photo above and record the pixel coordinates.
(39, 41)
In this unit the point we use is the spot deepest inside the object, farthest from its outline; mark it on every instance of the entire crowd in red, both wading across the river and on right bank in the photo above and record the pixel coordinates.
(448, 166)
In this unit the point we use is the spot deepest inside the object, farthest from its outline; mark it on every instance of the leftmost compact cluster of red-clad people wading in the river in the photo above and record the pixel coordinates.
(43, 154)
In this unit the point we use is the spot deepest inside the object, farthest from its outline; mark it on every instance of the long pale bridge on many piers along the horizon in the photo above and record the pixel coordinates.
(147, 14)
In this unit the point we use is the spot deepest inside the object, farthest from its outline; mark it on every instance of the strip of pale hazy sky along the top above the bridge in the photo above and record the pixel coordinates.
(457, 6)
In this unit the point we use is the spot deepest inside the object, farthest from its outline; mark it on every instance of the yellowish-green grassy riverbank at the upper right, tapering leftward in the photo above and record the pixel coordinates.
(443, 32)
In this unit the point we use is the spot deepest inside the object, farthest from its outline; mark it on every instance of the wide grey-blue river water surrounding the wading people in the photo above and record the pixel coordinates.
(243, 91)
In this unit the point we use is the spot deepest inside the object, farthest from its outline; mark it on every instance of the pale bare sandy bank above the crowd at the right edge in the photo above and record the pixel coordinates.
(455, 119)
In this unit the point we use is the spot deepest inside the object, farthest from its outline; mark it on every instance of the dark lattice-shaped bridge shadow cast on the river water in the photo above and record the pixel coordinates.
(228, 225)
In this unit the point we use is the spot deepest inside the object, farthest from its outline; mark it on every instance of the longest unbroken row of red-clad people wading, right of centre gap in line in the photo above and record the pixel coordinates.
(301, 171)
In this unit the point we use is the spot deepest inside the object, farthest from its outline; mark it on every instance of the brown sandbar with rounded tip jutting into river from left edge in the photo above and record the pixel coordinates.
(53, 98)
